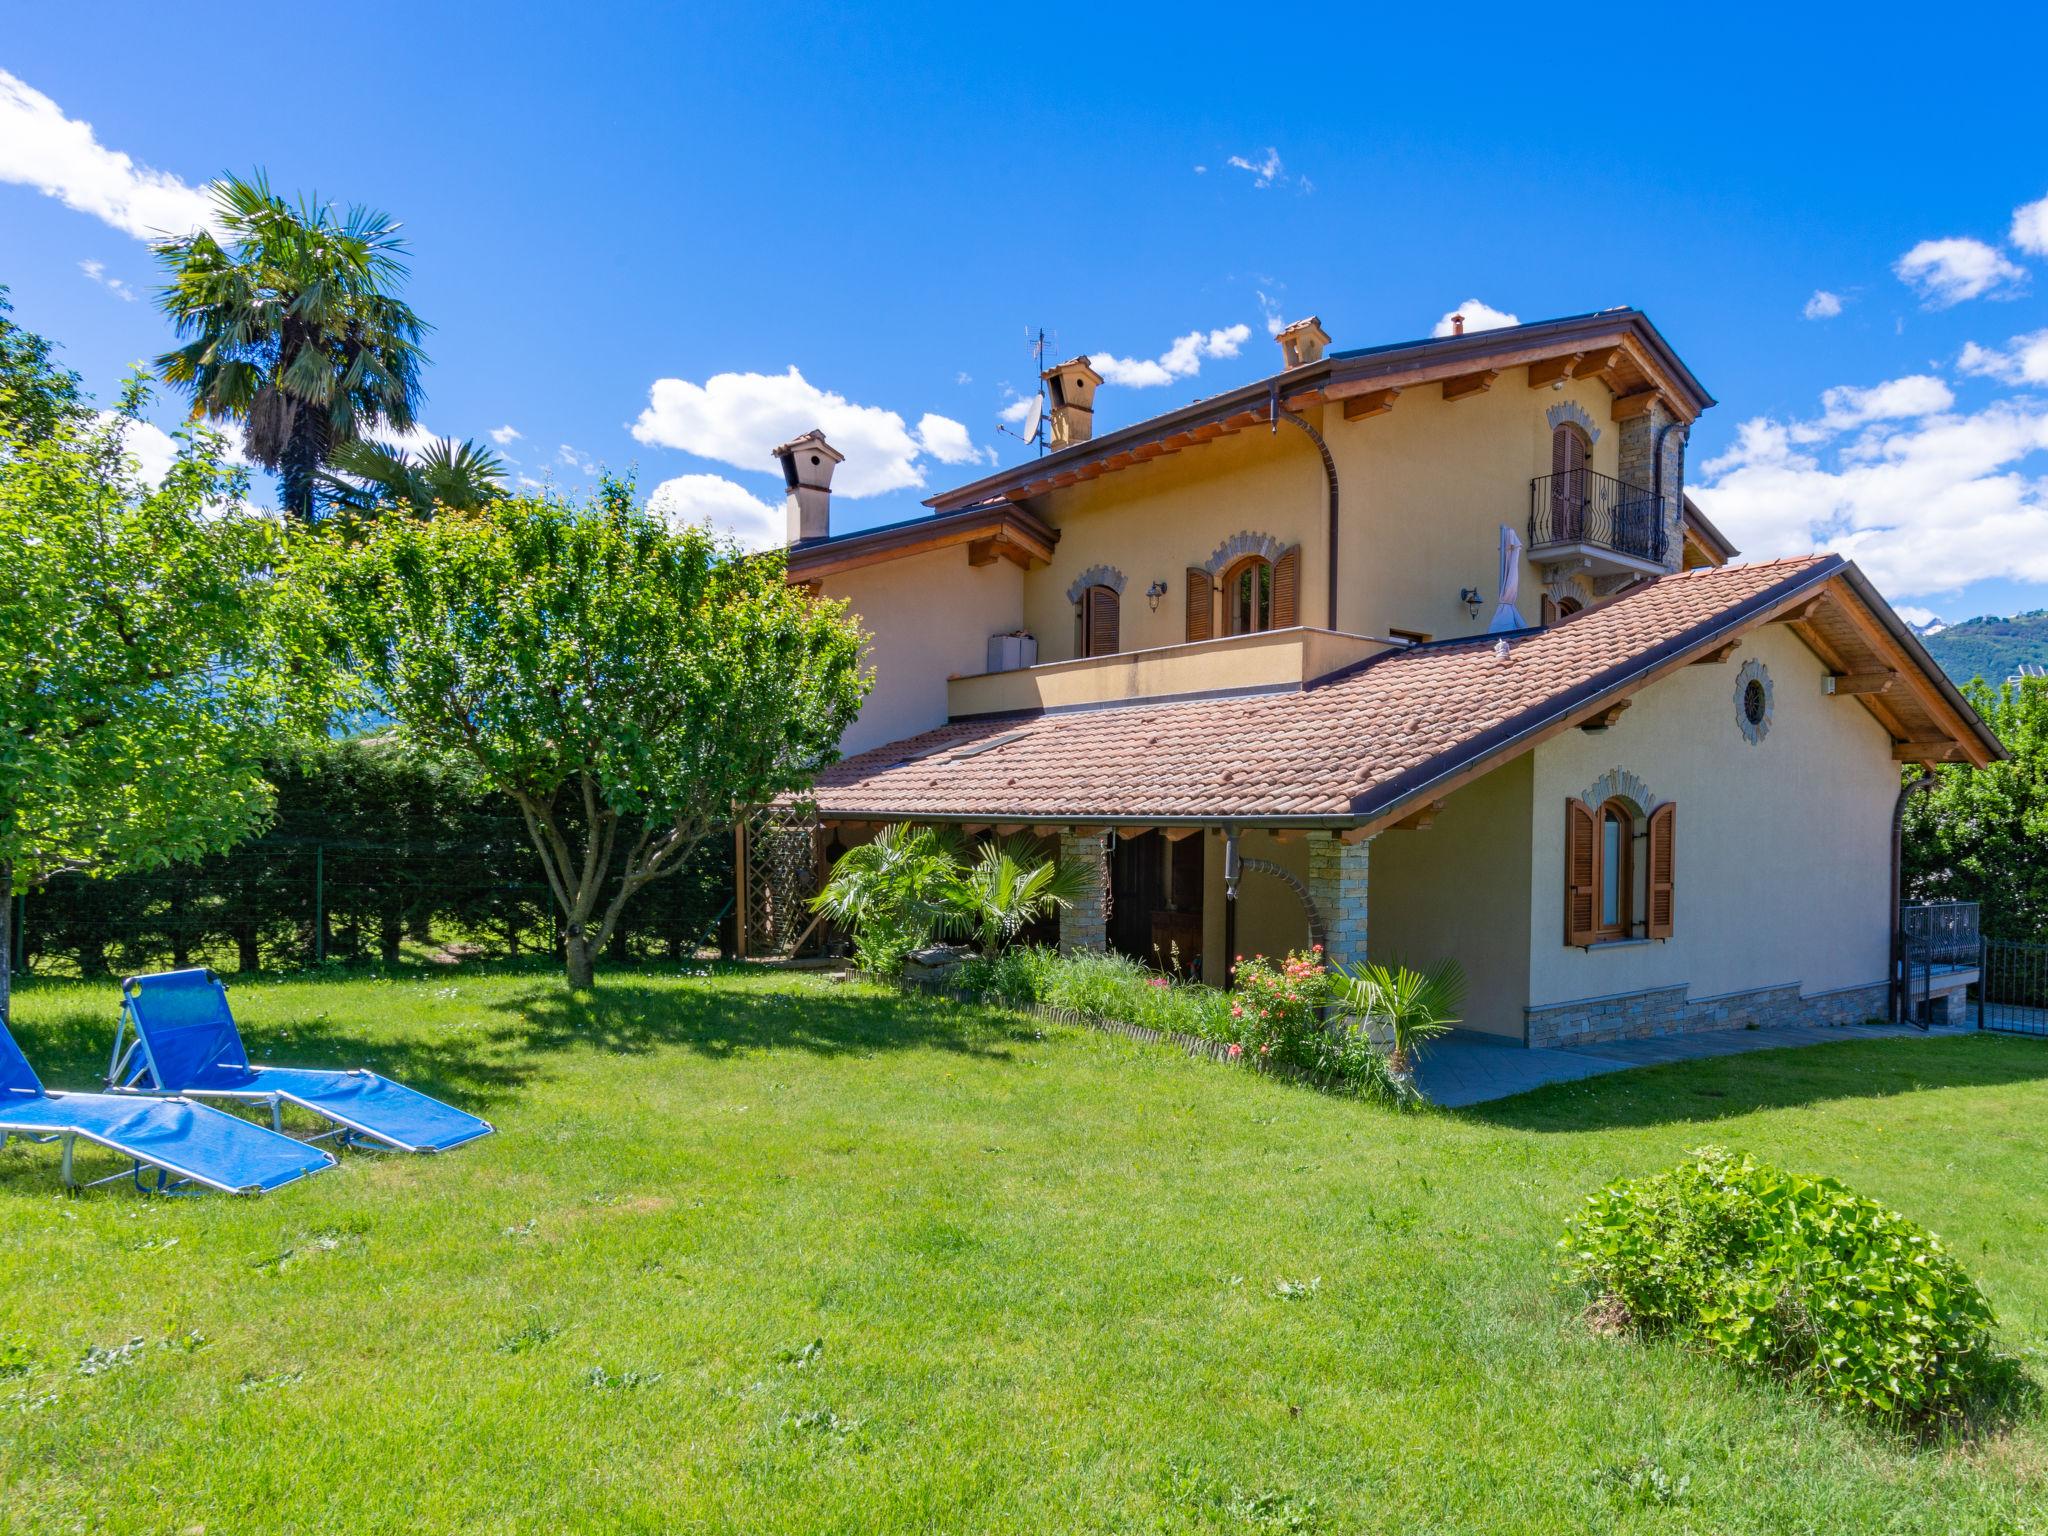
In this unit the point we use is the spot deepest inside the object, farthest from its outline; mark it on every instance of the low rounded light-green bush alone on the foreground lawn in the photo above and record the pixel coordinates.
(1797, 1277)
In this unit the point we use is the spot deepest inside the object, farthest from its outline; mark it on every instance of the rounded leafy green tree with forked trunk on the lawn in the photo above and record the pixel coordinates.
(632, 689)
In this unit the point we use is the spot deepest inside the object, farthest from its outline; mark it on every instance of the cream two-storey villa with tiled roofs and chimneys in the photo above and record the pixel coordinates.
(1410, 652)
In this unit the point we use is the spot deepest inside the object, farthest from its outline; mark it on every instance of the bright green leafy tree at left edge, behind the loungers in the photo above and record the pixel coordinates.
(142, 660)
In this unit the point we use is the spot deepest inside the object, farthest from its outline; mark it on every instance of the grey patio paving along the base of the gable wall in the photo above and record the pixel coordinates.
(1469, 1068)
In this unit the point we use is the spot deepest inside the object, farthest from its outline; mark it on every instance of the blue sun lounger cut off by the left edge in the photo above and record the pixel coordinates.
(183, 1142)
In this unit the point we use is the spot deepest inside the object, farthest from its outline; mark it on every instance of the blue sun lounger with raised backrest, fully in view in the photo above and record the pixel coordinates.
(179, 1037)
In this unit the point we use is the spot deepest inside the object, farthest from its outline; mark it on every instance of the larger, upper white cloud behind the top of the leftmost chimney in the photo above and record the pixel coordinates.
(740, 417)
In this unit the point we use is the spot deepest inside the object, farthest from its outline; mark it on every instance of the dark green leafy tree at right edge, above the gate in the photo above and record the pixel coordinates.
(1981, 835)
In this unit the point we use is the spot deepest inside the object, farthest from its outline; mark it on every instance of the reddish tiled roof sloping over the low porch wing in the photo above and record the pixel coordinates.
(1340, 751)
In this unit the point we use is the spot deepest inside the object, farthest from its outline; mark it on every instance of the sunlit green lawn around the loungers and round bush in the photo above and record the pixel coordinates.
(769, 1254)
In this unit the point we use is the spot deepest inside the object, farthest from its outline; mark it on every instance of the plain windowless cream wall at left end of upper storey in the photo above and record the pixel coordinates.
(927, 620)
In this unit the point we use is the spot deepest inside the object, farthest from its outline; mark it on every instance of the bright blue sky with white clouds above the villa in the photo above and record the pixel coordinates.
(630, 228)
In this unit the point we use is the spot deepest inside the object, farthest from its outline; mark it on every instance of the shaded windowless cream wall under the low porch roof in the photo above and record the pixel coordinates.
(1461, 892)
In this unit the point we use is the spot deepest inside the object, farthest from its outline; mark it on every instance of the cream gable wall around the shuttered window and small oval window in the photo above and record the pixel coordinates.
(1783, 849)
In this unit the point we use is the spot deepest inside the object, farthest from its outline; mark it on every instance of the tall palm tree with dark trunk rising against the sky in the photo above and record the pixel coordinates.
(294, 329)
